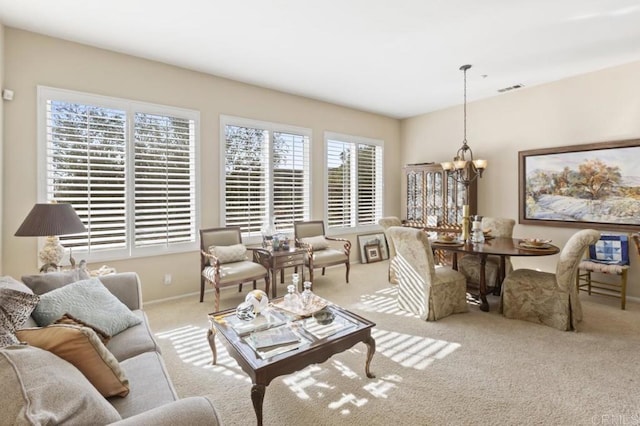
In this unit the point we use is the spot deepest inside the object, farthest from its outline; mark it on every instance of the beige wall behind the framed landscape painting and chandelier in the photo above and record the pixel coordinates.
(595, 107)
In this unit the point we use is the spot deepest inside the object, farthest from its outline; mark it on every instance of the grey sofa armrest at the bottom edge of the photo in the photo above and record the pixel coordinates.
(193, 411)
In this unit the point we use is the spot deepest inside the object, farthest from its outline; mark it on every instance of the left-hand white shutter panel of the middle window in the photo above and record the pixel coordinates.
(246, 178)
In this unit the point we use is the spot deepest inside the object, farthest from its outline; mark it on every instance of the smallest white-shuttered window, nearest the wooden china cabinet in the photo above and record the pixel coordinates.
(354, 181)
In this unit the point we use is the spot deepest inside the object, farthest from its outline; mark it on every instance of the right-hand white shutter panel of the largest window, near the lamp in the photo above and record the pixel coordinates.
(164, 180)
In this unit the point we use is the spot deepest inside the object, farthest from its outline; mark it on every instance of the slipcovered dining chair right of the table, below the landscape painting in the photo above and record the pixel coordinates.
(547, 298)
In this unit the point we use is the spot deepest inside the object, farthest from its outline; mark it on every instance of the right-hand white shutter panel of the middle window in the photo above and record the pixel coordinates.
(290, 180)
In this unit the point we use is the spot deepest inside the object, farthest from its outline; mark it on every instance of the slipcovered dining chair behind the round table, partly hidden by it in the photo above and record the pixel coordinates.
(470, 265)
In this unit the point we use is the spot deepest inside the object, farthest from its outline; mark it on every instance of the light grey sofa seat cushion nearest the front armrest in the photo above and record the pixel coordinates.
(149, 382)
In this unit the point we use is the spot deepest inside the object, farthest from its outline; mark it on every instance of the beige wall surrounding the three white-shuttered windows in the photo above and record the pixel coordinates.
(32, 60)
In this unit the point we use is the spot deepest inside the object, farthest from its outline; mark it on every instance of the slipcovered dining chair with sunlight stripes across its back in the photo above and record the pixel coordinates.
(424, 289)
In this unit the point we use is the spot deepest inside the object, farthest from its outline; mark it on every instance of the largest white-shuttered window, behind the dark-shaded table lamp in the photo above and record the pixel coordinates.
(128, 169)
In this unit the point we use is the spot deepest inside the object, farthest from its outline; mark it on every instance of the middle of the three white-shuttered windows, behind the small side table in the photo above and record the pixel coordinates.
(265, 174)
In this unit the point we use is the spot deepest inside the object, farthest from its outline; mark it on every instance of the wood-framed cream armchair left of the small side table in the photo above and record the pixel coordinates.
(225, 261)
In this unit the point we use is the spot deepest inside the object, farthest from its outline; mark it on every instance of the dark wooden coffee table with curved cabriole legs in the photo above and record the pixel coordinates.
(314, 349)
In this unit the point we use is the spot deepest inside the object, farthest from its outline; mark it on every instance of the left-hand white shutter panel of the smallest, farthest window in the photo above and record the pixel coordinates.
(340, 171)
